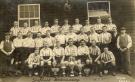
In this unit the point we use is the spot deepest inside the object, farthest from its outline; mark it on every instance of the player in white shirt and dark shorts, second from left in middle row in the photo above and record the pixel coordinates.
(28, 45)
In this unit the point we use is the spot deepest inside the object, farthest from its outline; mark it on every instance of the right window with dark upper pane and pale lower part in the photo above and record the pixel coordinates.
(98, 9)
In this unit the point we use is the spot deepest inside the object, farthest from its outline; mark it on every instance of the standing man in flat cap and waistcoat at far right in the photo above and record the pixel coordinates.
(124, 43)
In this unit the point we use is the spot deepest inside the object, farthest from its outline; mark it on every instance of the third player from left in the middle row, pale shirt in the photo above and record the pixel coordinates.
(38, 41)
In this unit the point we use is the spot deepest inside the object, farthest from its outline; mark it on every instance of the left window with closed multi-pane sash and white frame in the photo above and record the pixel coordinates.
(28, 13)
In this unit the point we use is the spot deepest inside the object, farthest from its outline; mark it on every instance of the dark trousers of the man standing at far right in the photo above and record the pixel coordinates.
(125, 60)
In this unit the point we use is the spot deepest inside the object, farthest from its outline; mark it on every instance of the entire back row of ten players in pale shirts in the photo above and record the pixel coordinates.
(54, 28)
